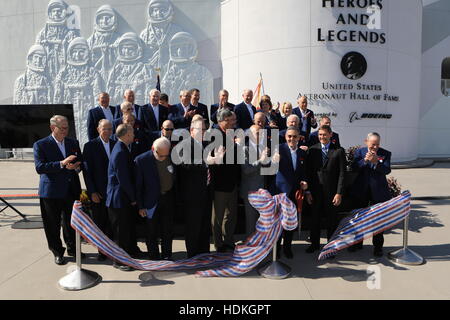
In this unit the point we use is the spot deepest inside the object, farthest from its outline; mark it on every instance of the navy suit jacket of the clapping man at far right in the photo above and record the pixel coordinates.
(373, 179)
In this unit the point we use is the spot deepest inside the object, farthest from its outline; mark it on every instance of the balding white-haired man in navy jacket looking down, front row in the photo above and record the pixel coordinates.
(155, 177)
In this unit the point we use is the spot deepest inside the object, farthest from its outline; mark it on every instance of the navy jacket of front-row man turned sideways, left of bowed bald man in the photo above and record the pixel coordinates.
(121, 187)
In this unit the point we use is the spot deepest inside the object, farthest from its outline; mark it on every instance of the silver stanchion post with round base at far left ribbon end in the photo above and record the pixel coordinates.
(80, 278)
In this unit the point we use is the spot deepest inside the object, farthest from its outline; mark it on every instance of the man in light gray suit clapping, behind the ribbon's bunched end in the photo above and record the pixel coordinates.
(256, 156)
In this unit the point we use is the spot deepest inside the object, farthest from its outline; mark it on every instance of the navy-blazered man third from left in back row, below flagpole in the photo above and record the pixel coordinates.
(153, 114)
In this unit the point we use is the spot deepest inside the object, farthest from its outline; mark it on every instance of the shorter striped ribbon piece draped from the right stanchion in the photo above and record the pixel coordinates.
(367, 222)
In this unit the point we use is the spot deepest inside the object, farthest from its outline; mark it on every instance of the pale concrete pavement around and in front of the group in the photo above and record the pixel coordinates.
(27, 270)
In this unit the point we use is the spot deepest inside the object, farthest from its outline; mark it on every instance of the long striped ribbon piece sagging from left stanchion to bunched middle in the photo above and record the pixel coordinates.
(277, 212)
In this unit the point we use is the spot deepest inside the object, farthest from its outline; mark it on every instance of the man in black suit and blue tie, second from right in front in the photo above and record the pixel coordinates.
(325, 171)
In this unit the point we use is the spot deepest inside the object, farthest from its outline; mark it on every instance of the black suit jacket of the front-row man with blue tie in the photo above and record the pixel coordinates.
(326, 179)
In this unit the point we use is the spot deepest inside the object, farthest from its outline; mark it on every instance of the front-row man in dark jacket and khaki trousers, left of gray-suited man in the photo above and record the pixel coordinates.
(225, 174)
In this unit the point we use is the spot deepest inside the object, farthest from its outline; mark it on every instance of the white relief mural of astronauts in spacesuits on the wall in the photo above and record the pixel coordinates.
(63, 67)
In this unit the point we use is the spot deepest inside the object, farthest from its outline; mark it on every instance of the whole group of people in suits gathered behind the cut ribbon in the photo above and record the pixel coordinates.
(124, 184)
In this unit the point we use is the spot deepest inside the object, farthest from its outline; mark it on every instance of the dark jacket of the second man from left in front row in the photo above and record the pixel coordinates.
(96, 164)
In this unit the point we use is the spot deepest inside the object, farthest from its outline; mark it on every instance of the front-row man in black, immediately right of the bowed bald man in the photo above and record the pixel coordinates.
(194, 175)
